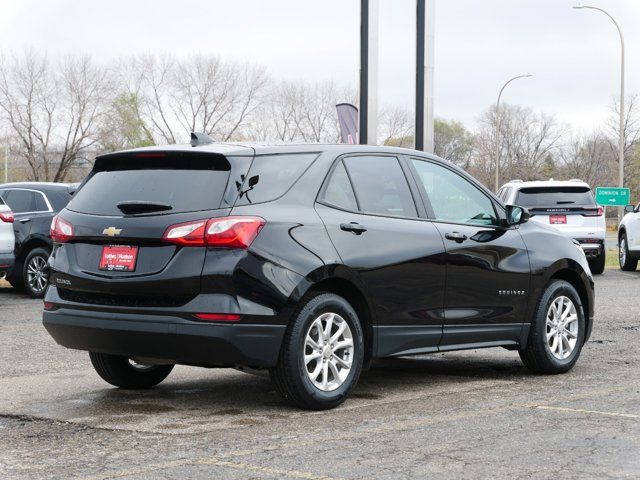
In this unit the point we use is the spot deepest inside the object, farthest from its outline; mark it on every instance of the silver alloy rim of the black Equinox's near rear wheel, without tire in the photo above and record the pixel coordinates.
(328, 351)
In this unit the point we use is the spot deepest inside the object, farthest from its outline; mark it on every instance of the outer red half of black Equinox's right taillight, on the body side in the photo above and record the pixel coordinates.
(233, 232)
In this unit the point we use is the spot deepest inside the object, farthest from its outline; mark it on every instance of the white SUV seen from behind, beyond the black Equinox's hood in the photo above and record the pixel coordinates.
(568, 206)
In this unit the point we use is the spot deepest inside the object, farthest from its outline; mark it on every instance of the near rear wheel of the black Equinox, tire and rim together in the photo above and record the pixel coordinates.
(322, 354)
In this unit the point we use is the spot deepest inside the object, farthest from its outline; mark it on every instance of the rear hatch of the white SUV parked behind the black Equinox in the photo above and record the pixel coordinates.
(571, 209)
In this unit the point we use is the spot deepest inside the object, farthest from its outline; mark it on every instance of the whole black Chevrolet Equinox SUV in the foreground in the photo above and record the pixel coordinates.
(306, 261)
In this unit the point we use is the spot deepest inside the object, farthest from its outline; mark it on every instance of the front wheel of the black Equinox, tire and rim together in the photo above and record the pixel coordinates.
(557, 332)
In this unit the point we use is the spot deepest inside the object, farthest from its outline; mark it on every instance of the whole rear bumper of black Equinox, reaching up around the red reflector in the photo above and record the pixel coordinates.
(170, 335)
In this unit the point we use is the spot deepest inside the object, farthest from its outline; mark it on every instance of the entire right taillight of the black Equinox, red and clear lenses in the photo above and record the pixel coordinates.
(223, 232)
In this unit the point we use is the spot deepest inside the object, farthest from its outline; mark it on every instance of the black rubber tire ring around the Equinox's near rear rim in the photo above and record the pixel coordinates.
(327, 303)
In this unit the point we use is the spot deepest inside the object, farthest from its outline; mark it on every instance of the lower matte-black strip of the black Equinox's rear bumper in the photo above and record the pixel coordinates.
(166, 338)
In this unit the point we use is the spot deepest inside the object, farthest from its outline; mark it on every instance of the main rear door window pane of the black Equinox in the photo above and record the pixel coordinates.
(380, 186)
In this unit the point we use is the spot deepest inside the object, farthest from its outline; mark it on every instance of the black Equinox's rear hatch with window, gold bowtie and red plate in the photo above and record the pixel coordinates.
(116, 253)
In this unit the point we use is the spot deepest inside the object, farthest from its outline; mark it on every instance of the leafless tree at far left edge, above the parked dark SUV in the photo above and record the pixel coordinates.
(52, 111)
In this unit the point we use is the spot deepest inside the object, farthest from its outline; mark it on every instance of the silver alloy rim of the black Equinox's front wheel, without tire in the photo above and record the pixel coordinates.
(562, 327)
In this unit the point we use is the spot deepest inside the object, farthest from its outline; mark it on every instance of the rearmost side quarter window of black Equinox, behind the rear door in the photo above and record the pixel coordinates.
(270, 176)
